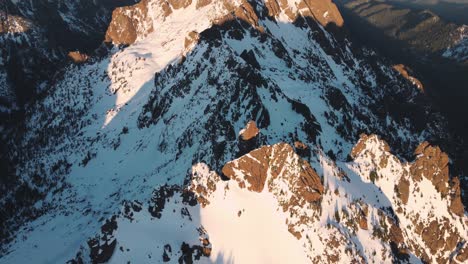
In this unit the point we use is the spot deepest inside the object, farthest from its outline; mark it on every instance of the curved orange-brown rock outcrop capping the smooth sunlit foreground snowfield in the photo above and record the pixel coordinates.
(292, 180)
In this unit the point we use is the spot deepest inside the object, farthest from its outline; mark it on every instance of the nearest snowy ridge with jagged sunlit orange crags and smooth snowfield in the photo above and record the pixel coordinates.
(273, 193)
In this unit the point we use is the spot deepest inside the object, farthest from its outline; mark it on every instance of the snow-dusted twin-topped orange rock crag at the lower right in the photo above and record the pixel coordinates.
(425, 210)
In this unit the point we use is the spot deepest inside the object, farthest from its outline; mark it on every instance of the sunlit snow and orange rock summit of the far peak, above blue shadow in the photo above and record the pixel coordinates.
(179, 25)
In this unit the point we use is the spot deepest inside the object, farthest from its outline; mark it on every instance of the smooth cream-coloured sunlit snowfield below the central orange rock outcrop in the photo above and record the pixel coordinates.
(241, 238)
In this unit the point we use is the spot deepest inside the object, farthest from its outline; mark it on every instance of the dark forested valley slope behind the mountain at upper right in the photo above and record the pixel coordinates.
(416, 38)
